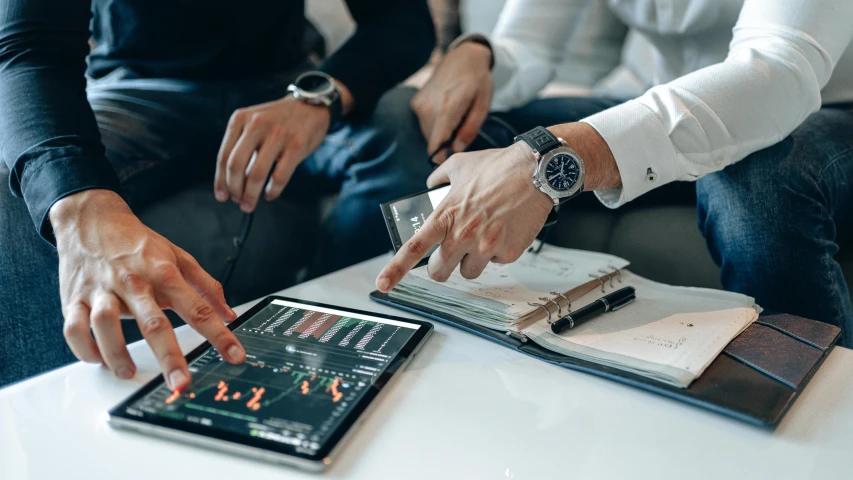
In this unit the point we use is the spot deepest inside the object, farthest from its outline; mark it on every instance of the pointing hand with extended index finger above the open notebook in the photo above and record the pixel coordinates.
(490, 215)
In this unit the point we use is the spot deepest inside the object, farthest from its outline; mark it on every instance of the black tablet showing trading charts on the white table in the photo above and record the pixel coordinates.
(311, 373)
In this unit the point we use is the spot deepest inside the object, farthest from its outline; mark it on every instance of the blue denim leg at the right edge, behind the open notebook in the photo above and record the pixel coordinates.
(774, 221)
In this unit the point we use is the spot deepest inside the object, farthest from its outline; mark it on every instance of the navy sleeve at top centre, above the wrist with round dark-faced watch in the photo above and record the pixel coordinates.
(392, 40)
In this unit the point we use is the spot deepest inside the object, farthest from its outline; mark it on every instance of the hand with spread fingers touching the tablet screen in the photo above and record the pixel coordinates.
(110, 264)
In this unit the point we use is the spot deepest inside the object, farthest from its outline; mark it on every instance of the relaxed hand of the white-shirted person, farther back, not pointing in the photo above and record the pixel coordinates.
(457, 95)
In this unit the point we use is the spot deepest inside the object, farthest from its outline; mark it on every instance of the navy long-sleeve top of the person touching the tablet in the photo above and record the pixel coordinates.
(48, 134)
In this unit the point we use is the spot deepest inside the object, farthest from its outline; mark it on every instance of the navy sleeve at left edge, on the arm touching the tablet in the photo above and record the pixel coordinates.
(48, 135)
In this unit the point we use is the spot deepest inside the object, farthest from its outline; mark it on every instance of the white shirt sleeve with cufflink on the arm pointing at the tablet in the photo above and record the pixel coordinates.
(782, 54)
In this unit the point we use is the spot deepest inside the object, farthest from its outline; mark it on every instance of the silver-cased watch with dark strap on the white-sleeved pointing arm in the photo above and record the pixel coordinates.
(559, 170)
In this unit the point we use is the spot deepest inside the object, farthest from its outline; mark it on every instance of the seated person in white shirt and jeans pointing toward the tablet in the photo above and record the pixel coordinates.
(753, 99)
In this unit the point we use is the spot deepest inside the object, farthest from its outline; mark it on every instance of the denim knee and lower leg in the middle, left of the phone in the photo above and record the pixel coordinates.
(374, 161)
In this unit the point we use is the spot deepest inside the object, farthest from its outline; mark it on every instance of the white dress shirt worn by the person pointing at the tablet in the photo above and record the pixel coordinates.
(725, 78)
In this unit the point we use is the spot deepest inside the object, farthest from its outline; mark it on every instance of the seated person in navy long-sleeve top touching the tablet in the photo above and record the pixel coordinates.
(182, 93)
